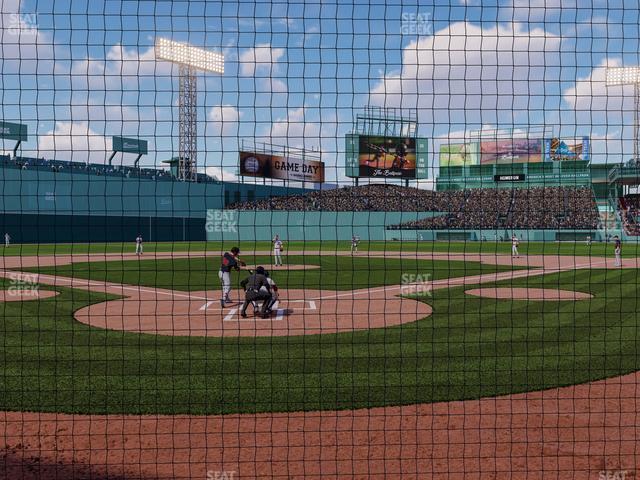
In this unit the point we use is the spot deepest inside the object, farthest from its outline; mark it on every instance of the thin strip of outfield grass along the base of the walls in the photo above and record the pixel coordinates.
(531, 248)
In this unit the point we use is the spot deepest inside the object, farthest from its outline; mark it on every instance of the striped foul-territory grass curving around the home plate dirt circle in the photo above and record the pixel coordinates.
(469, 348)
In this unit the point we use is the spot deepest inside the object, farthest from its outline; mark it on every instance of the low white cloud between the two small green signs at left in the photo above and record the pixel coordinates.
(73, 141)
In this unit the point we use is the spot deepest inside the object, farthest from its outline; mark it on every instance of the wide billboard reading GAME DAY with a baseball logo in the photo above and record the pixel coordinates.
(264, 165)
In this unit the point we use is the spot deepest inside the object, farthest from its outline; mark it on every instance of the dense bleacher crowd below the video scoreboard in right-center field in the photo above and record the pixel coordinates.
(543, 207)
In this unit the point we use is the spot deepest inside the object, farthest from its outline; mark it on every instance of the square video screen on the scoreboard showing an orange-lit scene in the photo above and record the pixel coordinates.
(391, 157)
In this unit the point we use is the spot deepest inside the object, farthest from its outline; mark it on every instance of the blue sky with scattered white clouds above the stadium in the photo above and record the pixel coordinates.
(297, 73)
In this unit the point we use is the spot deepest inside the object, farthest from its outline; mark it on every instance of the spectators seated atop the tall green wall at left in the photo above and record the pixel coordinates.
(98, 169)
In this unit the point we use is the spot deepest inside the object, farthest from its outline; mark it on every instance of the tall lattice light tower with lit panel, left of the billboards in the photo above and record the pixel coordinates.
(190, 60)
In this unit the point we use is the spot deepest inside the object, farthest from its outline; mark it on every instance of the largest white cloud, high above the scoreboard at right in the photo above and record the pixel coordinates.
(465, 74)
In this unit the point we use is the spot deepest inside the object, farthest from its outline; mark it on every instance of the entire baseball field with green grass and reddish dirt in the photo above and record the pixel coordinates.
(450, 358)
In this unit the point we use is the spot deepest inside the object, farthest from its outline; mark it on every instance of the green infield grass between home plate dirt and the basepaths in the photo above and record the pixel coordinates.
(335, 272)
